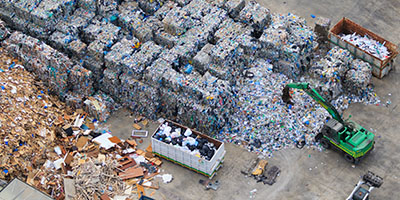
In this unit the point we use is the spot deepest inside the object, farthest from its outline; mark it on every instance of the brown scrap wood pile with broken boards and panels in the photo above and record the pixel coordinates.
(45, 143)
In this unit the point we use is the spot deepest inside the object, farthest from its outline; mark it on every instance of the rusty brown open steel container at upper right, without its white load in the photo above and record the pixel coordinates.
(380, 67)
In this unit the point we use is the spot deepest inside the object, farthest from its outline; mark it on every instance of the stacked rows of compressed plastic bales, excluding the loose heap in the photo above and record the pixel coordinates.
(178, 59)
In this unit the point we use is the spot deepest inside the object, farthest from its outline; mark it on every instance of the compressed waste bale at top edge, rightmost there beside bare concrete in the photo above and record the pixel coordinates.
(254, 15)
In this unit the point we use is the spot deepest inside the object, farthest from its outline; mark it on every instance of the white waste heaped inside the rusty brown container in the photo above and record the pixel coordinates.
(367, 44)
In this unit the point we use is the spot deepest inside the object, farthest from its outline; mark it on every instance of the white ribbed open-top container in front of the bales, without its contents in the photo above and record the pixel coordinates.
(185, 159)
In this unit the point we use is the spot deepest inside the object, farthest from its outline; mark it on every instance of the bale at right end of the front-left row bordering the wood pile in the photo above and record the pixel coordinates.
(81, 80)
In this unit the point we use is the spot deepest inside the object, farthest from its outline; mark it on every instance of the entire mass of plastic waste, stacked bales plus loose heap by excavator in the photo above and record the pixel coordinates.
(217, 66)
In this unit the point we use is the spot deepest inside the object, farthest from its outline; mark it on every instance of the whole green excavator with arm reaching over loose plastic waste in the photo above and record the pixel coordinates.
(349, 137)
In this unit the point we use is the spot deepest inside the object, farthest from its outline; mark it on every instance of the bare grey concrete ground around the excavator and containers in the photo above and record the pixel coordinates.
(307, 173)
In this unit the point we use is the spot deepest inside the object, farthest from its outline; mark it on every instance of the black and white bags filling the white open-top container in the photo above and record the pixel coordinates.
(185, 140)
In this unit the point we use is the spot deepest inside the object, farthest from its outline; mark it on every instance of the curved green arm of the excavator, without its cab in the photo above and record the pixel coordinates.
(313, 94)
